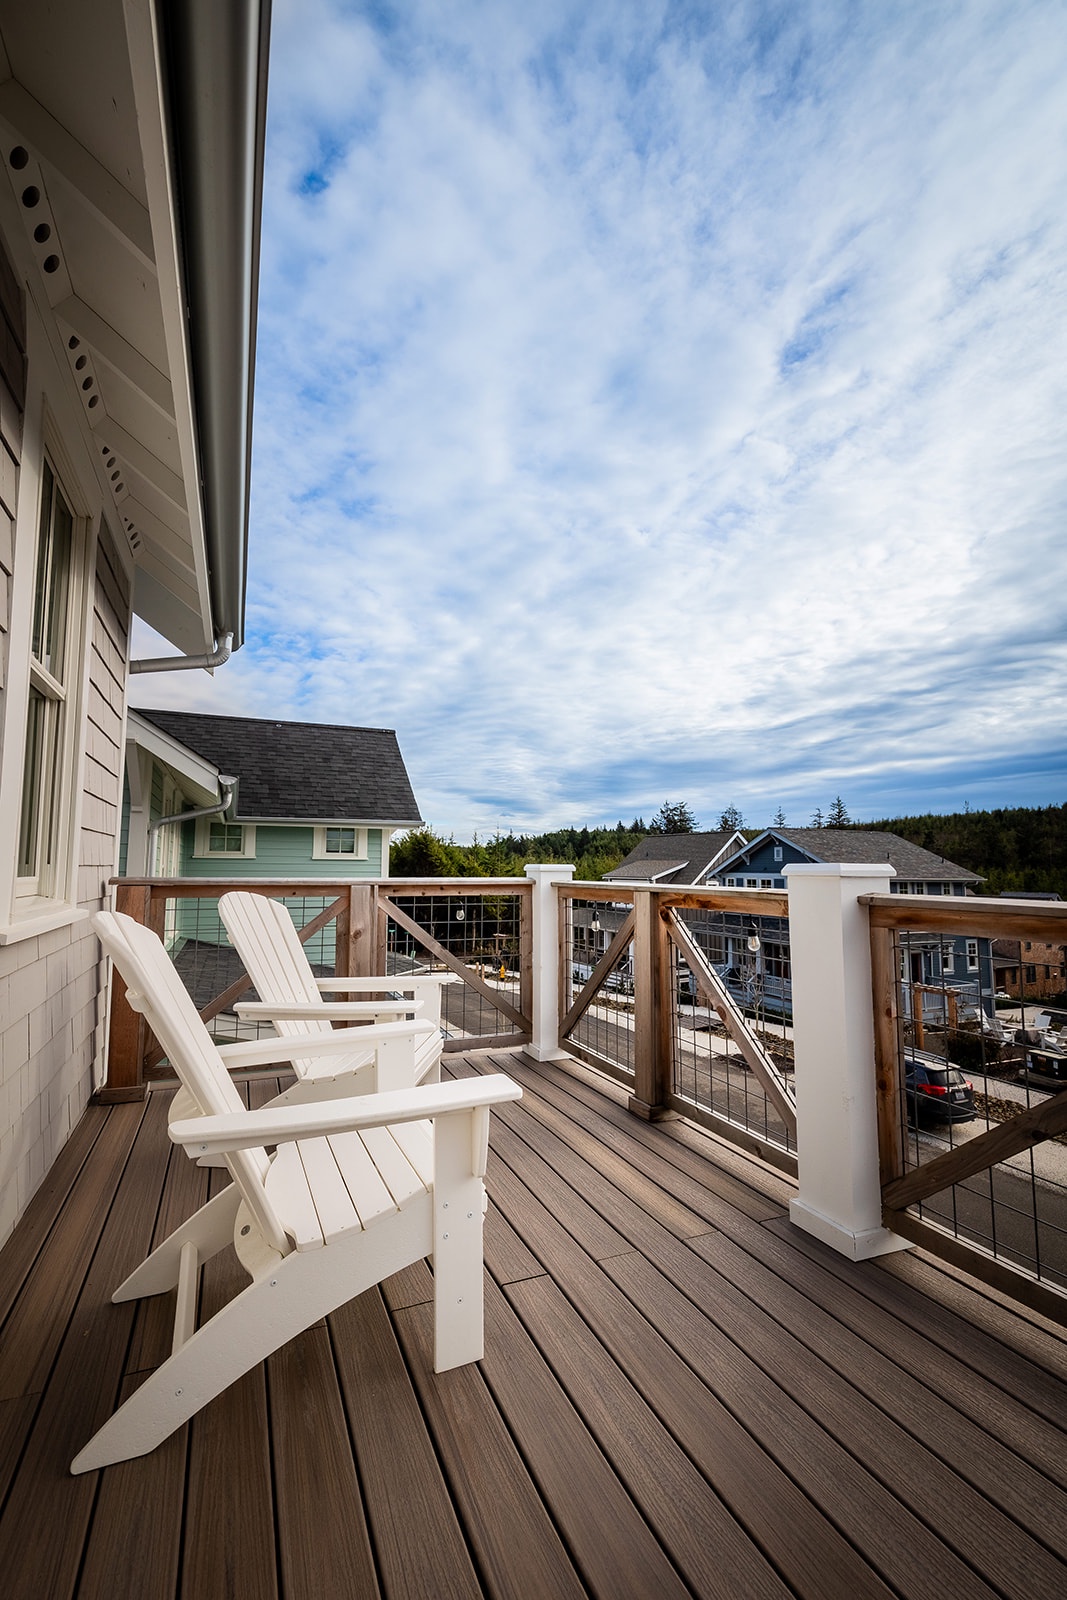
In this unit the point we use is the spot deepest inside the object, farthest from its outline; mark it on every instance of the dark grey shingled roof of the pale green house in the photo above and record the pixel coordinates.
(302, 772)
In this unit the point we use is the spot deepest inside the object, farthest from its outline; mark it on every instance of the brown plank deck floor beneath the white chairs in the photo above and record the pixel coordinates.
(681, 1396)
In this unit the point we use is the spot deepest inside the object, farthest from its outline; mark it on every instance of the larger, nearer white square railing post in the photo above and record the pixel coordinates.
(834, 1046)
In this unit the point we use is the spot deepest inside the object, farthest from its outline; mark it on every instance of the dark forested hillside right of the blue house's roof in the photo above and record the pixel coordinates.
(1013, 849)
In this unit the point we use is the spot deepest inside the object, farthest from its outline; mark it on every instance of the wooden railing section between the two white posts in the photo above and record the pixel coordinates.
(658, 935)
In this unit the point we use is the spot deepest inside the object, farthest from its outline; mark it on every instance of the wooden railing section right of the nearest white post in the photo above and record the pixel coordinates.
(893, 918)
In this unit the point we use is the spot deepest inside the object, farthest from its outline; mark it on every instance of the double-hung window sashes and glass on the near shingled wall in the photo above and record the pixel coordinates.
(49, 711)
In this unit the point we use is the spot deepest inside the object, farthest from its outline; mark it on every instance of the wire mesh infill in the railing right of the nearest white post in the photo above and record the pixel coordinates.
(975, 1058)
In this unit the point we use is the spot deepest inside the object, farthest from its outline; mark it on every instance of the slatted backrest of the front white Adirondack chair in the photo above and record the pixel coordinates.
(156, 990)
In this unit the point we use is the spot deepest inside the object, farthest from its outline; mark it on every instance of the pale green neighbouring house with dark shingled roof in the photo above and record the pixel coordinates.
(247, 798)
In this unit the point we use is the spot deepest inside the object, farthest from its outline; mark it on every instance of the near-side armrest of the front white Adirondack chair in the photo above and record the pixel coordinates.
(319, 1119)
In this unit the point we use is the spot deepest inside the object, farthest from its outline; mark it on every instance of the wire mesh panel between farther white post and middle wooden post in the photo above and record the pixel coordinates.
(607, 1026)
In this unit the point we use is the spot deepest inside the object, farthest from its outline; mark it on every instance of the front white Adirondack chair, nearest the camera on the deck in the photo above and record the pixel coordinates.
(358, 1190)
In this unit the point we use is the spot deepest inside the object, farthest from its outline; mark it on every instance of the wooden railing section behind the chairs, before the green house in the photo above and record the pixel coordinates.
(367, 919)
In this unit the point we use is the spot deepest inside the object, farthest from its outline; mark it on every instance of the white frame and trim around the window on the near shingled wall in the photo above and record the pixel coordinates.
(57, 801)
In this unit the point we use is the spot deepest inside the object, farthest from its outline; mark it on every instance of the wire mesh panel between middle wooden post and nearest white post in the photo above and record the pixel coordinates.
(751, 959)
